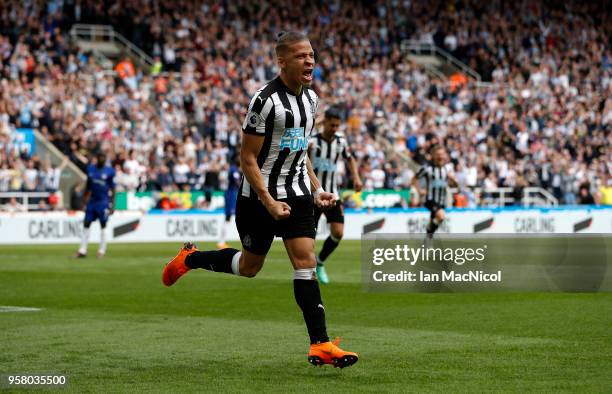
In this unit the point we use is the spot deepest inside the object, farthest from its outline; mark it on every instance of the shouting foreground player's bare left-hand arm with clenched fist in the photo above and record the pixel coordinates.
(251, 145)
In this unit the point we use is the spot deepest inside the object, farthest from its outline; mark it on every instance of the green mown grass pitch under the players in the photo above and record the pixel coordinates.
(111, 326)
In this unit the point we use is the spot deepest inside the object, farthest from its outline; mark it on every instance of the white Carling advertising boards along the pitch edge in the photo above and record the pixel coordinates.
(177, 226)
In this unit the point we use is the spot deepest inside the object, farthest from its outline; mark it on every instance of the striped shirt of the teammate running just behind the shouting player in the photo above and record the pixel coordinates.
(324, 157)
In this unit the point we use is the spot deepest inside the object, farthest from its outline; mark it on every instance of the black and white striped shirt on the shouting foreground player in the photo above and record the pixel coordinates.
(286, 122)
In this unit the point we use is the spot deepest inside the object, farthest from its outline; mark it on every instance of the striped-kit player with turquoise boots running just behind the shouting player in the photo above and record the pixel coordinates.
(325, 150)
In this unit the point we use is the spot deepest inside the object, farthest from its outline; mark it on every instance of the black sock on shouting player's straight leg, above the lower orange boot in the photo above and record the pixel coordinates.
(308, 297)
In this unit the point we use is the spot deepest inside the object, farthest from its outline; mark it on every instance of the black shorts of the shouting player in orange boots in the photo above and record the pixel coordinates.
(257, 228)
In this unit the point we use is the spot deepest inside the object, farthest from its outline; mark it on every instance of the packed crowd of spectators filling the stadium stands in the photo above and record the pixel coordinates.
(542, 118)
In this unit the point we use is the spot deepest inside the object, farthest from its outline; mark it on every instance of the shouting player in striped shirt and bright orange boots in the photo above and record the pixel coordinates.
(275, 197)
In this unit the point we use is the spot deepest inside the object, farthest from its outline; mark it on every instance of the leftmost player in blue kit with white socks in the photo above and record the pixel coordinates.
(99, 196)
